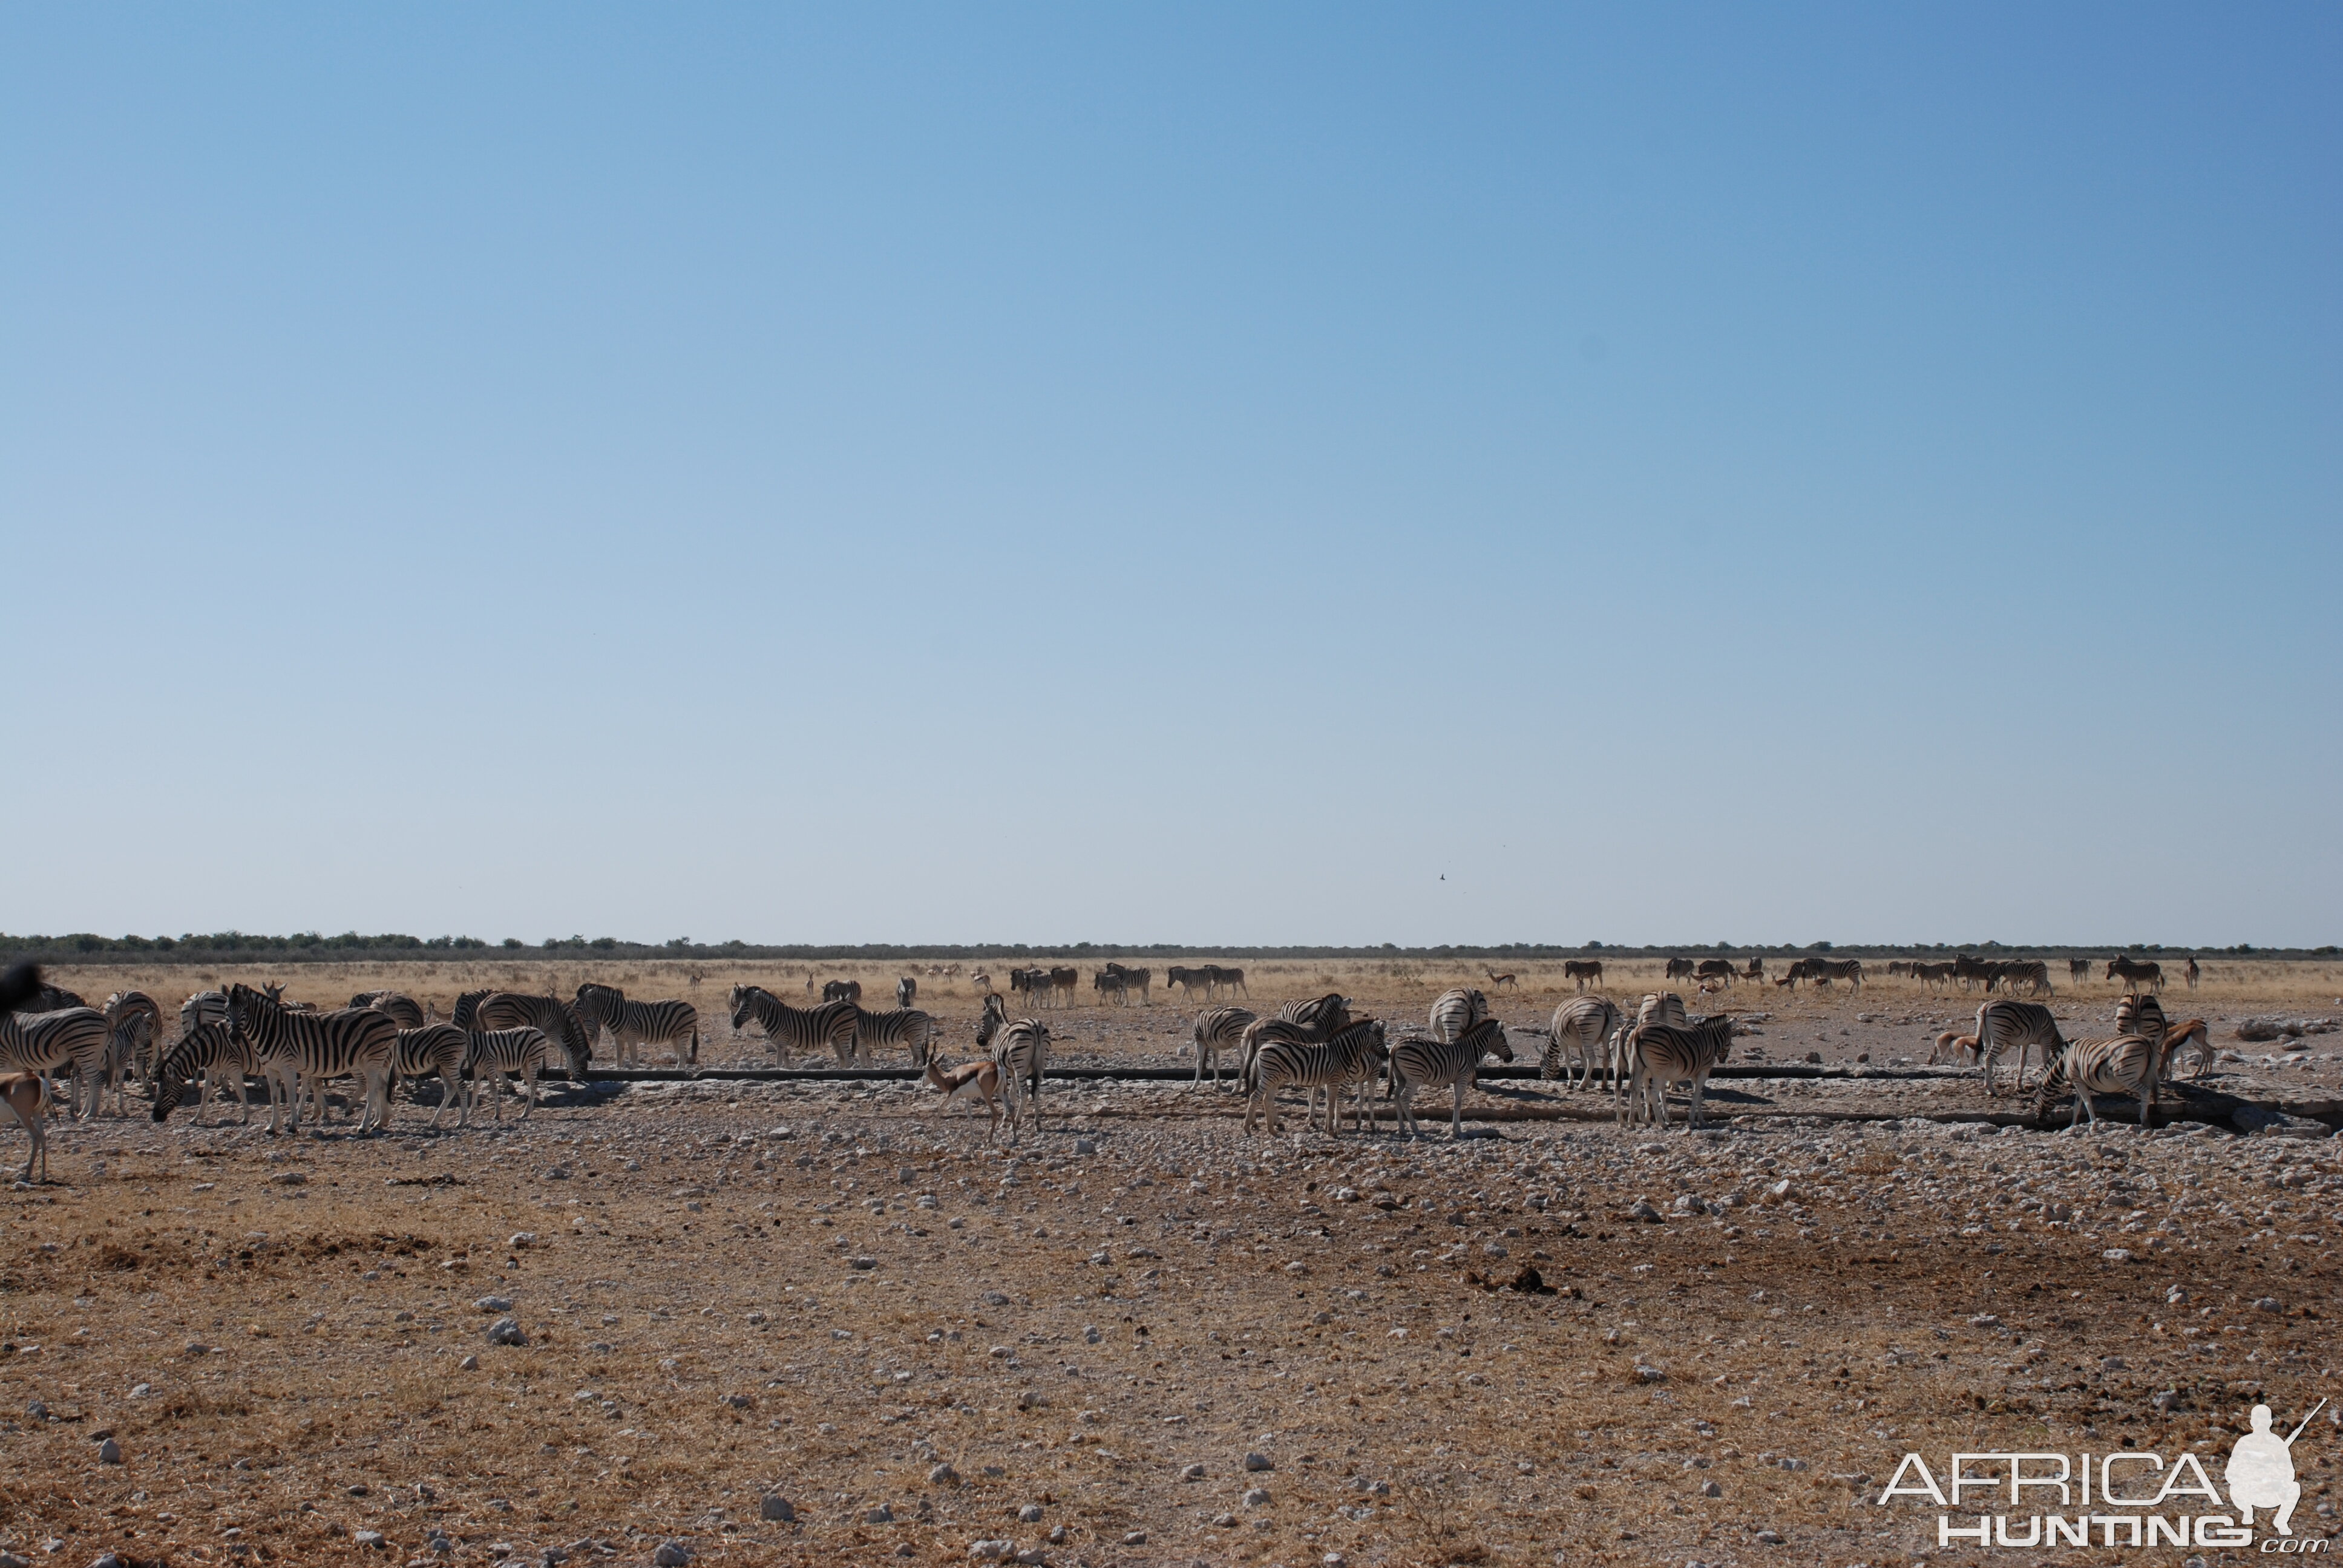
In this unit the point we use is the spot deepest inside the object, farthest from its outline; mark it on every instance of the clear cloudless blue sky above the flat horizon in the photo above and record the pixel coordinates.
(1213, 475)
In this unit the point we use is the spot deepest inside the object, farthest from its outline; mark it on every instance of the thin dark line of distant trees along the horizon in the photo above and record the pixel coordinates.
(348, 948)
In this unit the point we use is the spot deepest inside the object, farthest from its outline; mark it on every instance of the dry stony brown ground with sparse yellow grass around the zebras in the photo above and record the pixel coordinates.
(1145, 1337)
